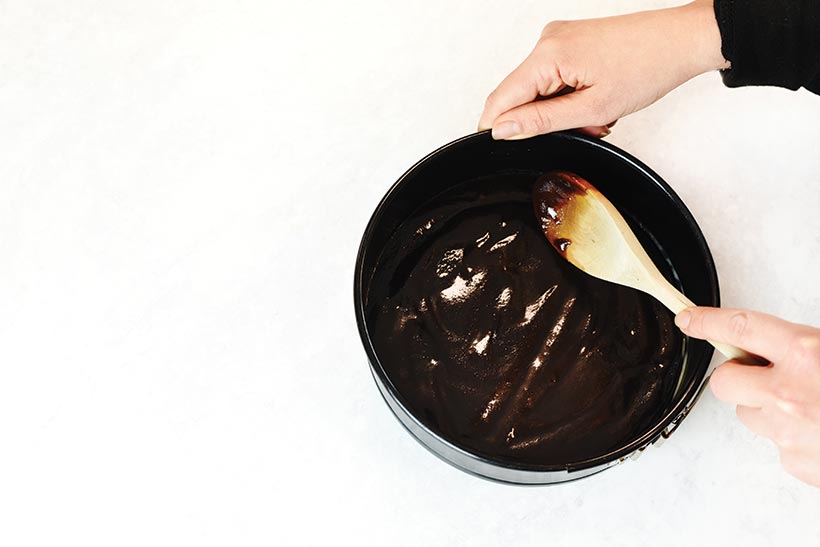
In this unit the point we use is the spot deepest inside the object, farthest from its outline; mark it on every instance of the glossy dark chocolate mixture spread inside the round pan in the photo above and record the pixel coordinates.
(502, 347)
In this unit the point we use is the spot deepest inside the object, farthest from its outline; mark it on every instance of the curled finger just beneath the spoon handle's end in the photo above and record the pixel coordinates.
(742, 385)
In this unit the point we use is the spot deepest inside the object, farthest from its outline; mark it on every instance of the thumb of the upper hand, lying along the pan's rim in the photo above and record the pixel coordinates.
(577, 109)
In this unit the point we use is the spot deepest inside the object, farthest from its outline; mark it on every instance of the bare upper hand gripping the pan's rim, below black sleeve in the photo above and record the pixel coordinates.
(615, 65)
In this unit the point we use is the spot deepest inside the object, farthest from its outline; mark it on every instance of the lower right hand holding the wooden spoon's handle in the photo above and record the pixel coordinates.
(780, 401)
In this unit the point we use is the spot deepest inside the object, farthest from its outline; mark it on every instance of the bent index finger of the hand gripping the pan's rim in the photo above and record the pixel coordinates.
(523, 85)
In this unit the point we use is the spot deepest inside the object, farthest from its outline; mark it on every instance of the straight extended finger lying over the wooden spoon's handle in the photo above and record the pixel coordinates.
(759, 333)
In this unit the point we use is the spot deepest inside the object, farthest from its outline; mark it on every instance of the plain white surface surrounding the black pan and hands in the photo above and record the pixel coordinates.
(183, 186)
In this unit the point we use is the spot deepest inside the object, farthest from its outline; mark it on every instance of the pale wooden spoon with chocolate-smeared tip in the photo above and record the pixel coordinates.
(586, 229)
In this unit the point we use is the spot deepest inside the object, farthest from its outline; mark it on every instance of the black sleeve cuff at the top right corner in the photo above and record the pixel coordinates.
(770, 42)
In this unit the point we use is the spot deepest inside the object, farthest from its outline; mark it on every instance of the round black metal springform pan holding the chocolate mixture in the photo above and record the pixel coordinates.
(660, 219)
